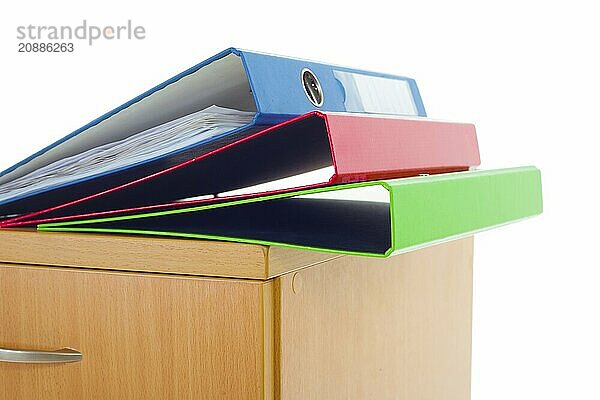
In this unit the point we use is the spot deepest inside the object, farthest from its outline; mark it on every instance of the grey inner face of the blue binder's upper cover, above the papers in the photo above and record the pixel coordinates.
(222, 82)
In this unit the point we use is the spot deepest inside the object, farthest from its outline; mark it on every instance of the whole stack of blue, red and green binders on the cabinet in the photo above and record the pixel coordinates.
(256, 148)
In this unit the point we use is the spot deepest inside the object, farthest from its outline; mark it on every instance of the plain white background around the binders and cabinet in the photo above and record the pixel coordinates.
(526, 73)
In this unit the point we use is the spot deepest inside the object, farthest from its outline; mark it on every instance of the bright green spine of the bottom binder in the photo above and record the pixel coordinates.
(443, 207)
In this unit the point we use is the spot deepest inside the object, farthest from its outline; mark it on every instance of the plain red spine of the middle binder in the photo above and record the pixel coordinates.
(398, 147)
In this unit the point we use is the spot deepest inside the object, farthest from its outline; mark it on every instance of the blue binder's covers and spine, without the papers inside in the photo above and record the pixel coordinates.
(275, 88)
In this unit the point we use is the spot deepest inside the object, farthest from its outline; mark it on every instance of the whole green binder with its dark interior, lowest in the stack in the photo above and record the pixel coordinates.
(377, 218)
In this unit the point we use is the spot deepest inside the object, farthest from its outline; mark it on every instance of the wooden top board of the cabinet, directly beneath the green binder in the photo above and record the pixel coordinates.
(162, 255)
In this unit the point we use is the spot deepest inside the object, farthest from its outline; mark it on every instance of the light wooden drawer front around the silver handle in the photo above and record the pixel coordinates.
(140, 336)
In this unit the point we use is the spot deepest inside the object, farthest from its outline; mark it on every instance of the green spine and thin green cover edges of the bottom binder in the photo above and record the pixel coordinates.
(424, 210)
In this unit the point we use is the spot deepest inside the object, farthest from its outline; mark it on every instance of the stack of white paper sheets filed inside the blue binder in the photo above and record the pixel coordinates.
(148, 144)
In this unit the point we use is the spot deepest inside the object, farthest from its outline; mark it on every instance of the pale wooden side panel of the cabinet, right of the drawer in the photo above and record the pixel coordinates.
(360, 328)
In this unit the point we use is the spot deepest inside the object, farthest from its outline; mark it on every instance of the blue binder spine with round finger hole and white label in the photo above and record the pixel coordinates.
(278, 87)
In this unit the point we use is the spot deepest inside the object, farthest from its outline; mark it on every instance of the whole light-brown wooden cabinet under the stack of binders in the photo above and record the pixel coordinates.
(230, 321)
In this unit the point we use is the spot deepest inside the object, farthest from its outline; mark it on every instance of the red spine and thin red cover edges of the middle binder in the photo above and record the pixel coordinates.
(394, 148)
